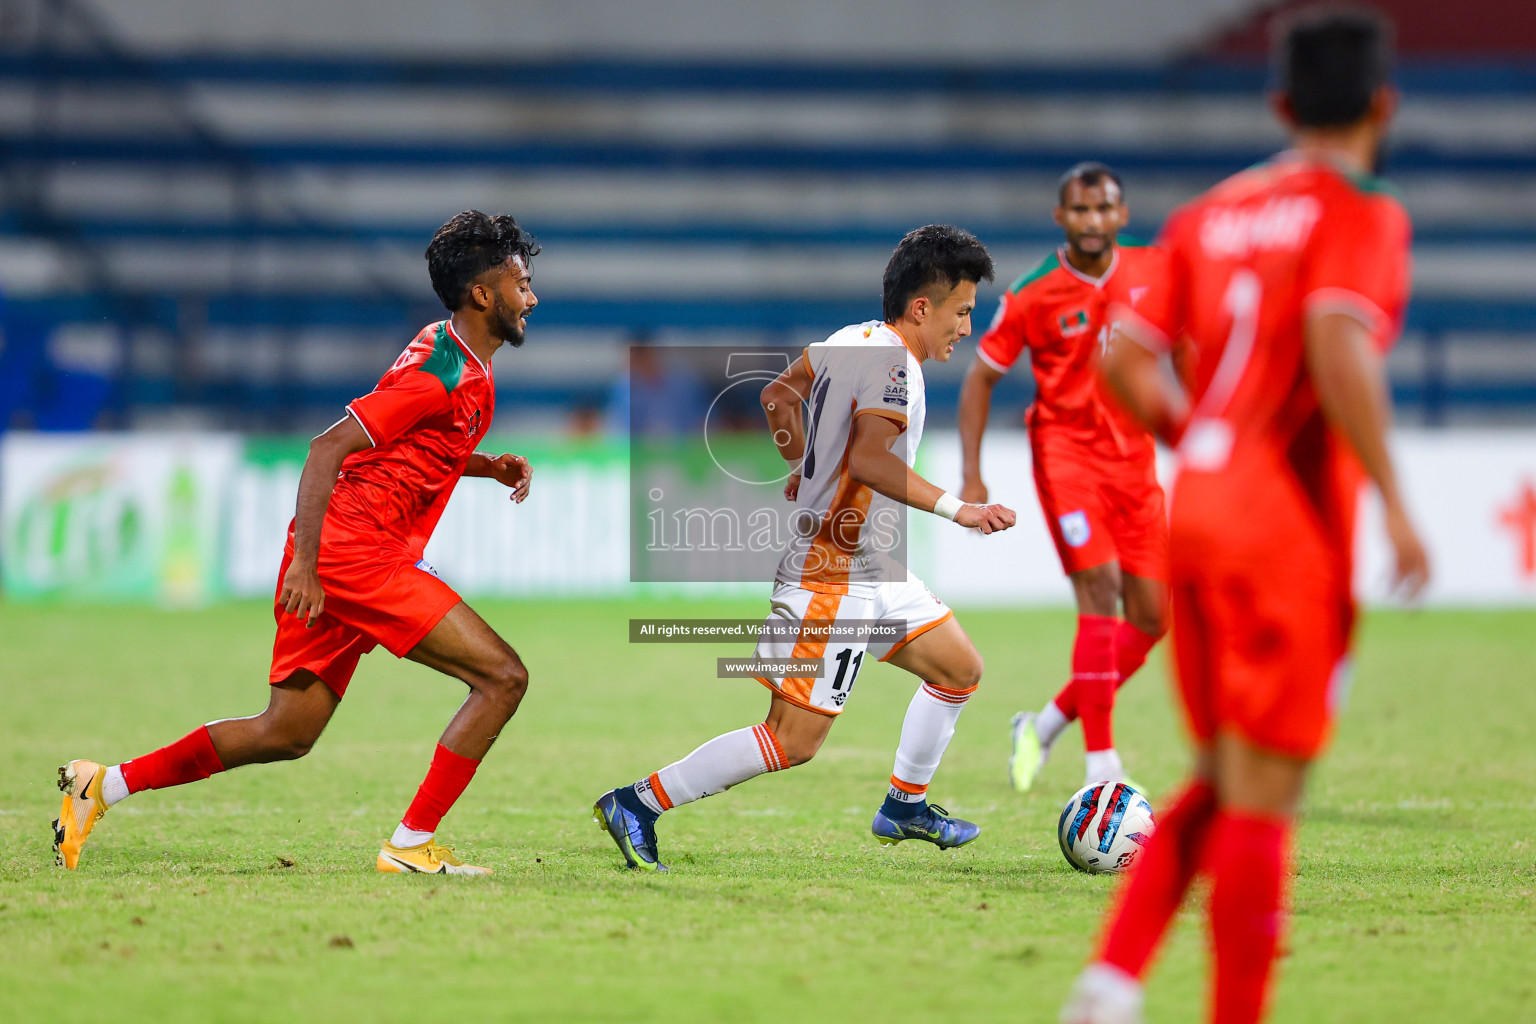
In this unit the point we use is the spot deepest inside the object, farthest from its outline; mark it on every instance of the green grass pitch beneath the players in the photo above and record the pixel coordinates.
(253, 897)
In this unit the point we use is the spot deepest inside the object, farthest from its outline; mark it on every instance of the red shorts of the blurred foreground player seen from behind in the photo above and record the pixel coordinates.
(1260, 655)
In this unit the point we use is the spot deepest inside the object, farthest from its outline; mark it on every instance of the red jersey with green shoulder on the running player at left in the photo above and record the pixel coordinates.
(425, 418)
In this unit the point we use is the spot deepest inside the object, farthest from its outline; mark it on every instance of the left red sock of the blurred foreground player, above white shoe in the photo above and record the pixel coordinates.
(1157, 884)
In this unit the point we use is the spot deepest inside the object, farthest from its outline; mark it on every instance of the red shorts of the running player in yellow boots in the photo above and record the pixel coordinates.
(369, 603)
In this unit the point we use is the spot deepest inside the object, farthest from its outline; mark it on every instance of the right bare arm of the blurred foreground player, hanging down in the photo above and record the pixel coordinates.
(1352, 392)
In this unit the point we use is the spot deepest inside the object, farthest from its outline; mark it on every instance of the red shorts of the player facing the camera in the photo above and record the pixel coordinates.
(1102, 510)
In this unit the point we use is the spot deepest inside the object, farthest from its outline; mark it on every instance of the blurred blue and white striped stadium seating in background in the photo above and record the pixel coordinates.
(237, 240)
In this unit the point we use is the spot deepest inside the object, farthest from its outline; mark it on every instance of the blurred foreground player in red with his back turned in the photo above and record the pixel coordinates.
(1286, 286)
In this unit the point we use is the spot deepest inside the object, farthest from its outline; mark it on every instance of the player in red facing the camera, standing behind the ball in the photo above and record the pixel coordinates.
(1096, 467)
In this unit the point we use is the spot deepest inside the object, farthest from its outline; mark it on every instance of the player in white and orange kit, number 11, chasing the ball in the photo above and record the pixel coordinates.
(853, 478)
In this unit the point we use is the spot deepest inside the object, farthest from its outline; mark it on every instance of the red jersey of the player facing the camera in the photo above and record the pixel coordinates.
(1059, 314)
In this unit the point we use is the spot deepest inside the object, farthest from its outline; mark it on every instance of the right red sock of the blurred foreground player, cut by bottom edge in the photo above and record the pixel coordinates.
(1248, 891)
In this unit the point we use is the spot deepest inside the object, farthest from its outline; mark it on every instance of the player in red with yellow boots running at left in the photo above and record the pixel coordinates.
(354, 578)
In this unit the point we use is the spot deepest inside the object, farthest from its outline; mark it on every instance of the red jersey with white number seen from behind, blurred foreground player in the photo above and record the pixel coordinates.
(1262, 474)
